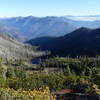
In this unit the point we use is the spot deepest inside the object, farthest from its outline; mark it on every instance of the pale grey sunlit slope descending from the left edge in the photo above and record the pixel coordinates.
(13, 50)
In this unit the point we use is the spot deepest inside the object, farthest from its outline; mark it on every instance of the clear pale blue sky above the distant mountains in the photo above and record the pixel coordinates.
(12, 8)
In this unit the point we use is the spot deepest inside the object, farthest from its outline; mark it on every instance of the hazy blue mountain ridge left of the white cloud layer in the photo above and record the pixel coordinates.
(23, 28)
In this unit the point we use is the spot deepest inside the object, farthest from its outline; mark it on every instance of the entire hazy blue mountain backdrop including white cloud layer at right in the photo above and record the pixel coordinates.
(26, 28)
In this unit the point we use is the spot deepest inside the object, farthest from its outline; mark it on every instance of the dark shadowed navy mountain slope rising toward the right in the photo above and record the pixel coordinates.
(80, 42)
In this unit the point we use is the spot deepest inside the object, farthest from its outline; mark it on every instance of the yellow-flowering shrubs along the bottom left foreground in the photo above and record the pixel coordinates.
(11, 94)
